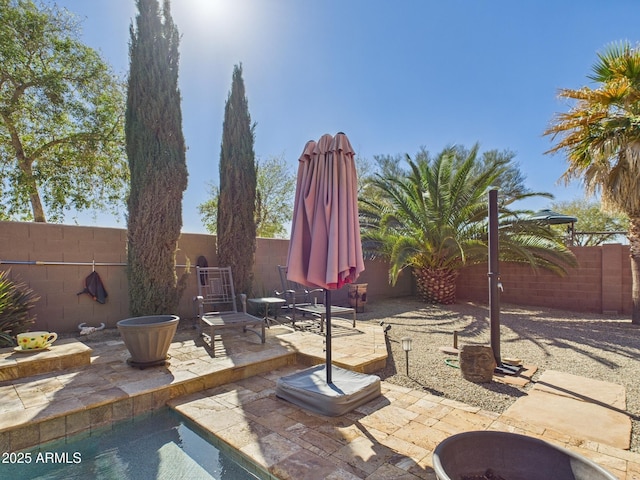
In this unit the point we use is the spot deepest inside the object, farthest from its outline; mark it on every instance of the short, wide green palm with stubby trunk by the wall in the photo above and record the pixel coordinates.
(434, 219)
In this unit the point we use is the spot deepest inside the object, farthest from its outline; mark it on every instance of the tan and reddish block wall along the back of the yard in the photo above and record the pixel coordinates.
(601, 283)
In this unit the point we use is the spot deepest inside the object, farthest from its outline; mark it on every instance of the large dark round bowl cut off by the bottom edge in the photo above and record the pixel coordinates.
(510, 456)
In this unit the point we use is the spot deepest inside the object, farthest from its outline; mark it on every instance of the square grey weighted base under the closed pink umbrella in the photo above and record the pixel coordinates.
(309, 389)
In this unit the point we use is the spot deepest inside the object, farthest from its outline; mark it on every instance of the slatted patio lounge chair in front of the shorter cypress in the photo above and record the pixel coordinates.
(215, 291)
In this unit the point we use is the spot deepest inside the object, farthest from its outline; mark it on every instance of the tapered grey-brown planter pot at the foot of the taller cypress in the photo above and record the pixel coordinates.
(148, 338)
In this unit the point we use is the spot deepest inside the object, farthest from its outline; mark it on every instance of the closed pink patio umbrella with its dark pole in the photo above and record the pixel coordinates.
(325, 250)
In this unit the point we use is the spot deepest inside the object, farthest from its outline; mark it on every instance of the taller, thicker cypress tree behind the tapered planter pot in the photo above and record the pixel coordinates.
(156, 153)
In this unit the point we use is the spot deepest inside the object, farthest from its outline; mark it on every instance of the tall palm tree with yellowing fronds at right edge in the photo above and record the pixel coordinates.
(600, 136)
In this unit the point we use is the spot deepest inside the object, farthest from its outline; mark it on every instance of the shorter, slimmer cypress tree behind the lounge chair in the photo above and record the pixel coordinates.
(236, 205)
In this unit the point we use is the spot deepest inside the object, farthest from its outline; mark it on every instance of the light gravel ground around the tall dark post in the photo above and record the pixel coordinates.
(602, 347)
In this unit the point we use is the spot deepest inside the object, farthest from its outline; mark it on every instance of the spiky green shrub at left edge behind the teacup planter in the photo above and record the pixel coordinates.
(16, 301)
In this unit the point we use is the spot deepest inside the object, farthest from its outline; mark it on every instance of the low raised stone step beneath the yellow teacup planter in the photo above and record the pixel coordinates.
(63, 354)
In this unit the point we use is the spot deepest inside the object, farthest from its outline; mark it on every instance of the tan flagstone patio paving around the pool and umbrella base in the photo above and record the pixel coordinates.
(232, 396)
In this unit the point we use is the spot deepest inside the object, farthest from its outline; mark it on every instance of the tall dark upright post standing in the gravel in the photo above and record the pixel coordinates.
(494, 275)
